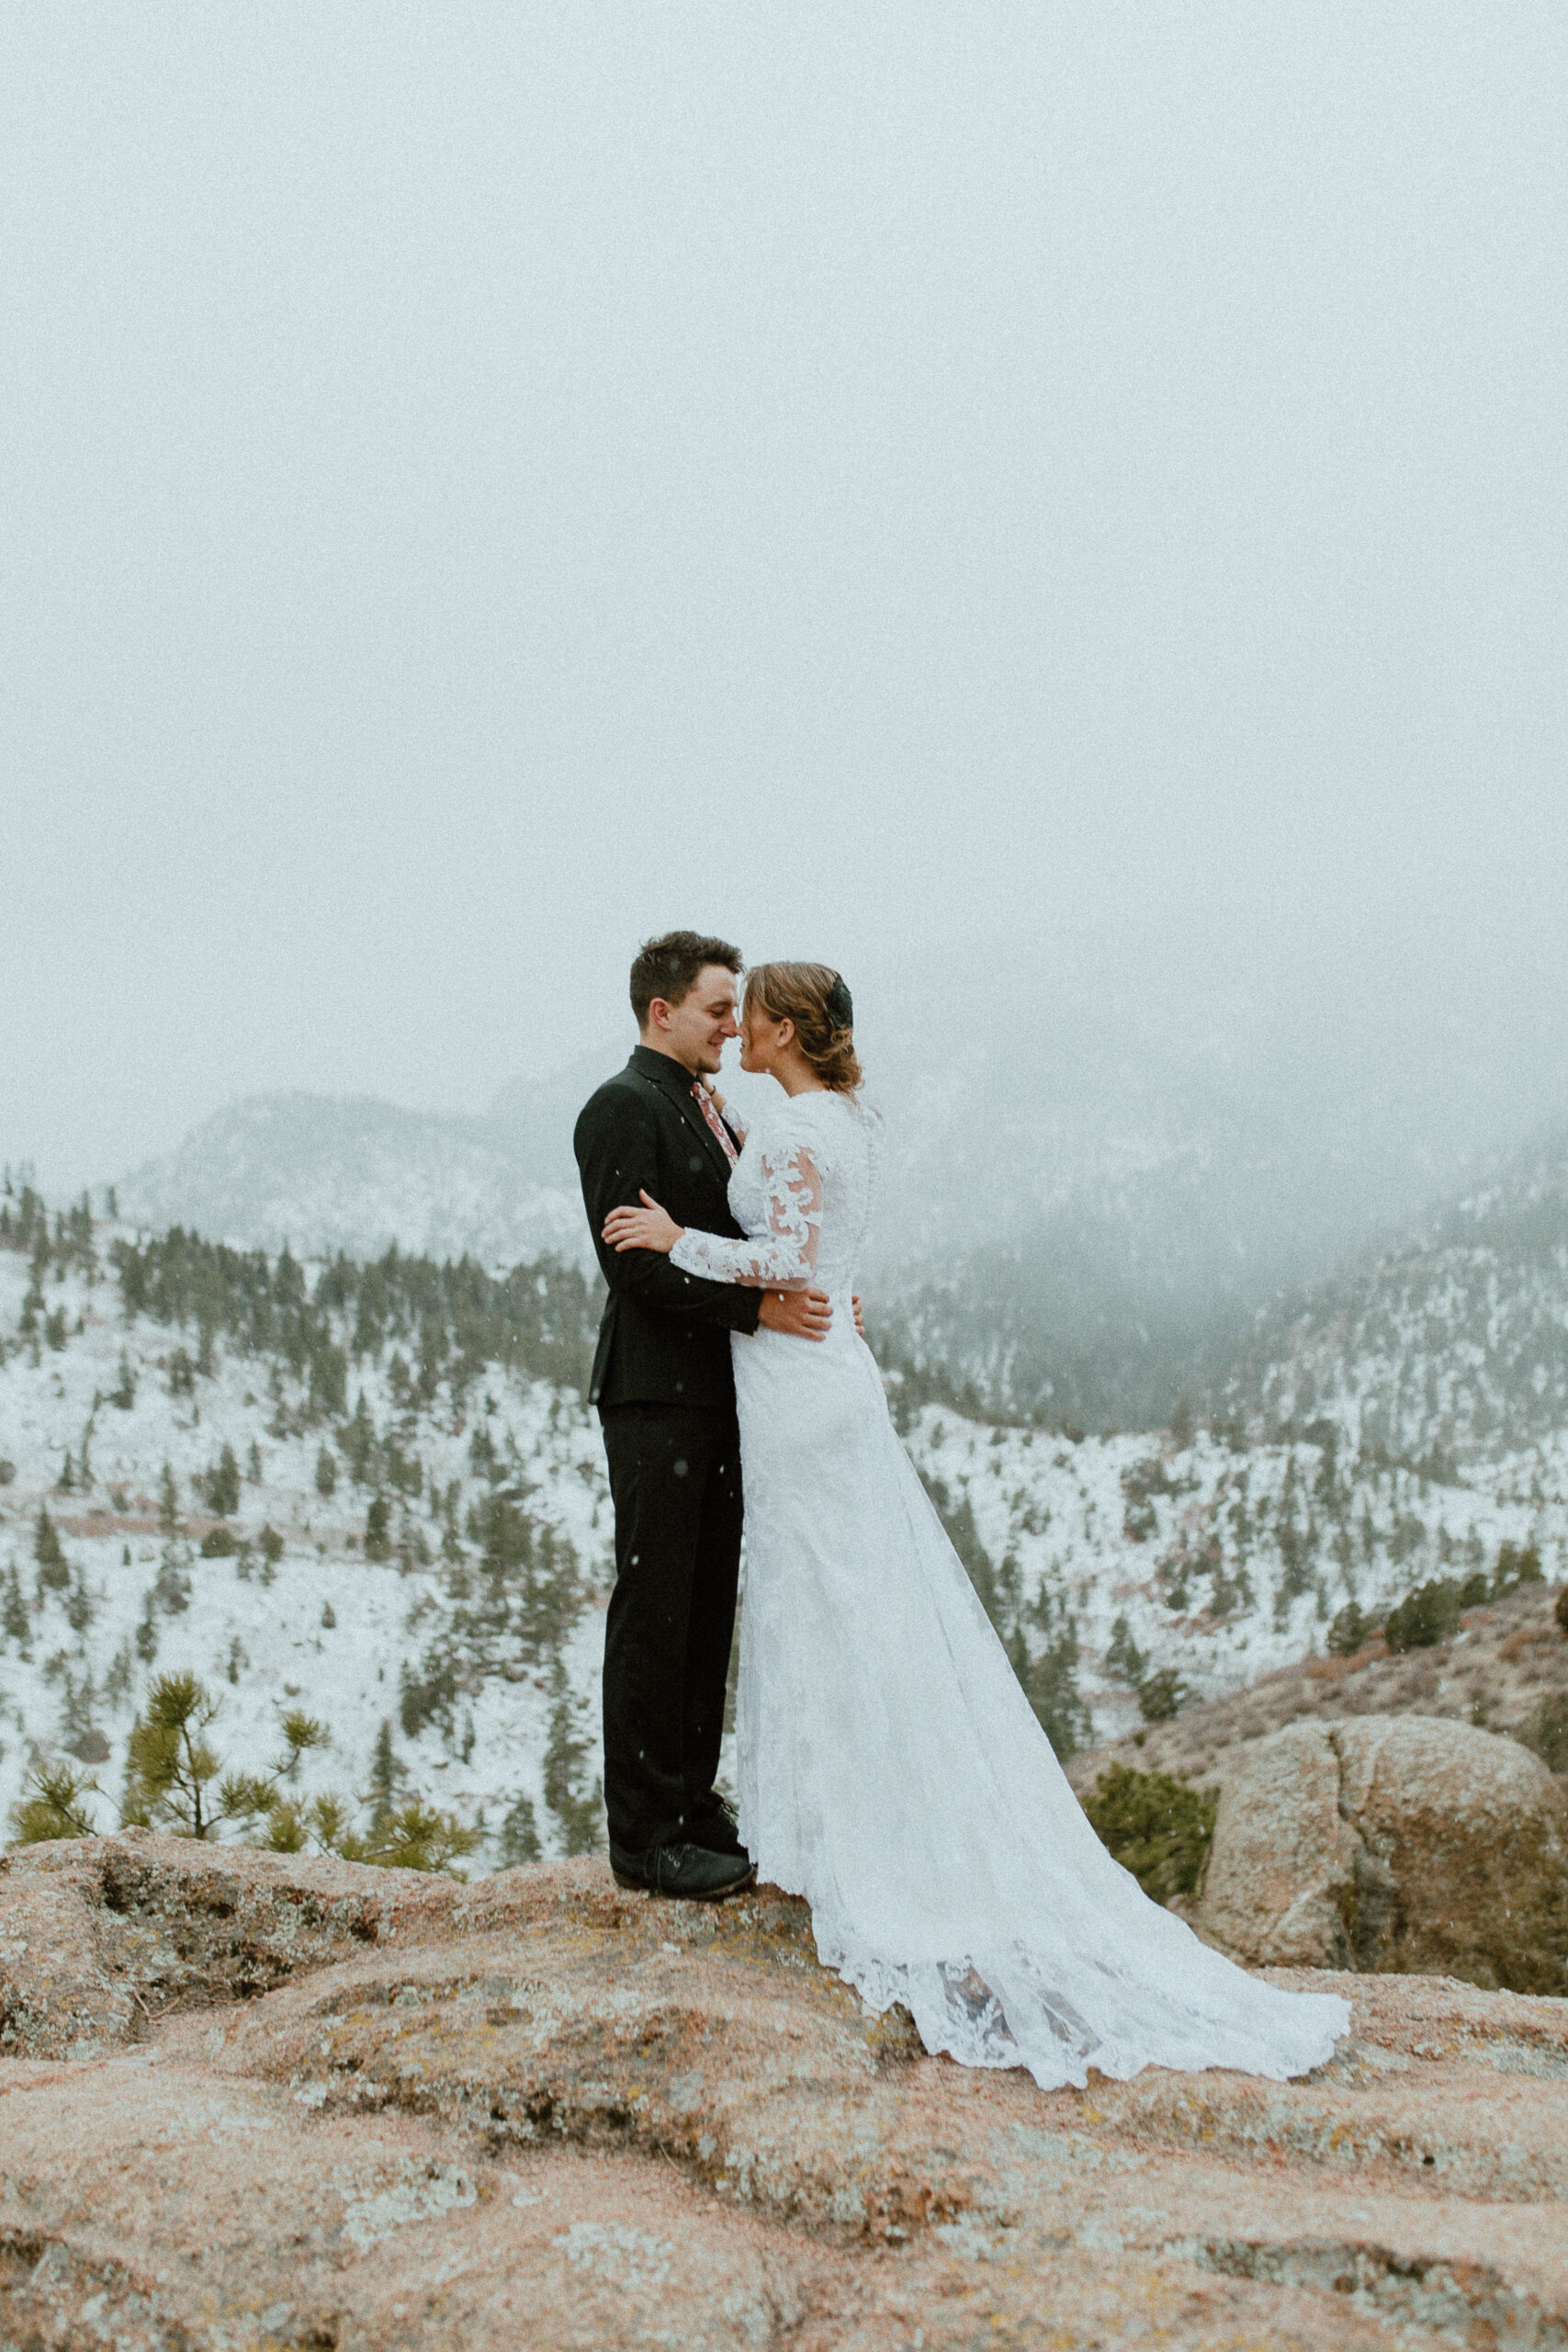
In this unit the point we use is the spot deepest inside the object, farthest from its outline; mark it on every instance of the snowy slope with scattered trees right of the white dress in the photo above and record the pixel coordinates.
(1111, 1561)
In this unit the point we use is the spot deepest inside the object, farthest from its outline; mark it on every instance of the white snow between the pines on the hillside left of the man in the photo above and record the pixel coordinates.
(257, 1636)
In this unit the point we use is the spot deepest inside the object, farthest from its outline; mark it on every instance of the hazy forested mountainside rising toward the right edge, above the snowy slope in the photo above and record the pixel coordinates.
(1454, 1344)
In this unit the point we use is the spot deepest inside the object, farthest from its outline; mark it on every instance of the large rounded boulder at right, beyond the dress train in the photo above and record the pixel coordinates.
(1395, 1843)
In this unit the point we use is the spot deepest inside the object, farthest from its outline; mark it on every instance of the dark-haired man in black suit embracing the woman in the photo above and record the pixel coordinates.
(666, 1396)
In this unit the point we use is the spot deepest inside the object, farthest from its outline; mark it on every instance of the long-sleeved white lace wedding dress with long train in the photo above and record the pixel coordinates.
(892, 1770)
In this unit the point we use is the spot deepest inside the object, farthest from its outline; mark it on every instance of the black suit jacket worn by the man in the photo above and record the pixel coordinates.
(666, 1335)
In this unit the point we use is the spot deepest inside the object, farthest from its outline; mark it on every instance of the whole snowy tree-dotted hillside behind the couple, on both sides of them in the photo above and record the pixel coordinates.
(441, 1417)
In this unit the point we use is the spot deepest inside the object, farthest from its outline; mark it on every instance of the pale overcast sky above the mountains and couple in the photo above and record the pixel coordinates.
(1078, 486)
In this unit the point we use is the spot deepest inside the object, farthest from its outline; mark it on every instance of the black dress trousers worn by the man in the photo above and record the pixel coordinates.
(676, 1485)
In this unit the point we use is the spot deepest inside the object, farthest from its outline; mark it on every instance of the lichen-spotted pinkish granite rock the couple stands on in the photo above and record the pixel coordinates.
(314, 2106)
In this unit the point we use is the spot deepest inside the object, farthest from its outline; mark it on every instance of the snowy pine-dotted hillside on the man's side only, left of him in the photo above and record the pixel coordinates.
(112, 1426)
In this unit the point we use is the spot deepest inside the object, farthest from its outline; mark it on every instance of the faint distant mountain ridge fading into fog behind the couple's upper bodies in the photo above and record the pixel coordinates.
(1076, 1224)
